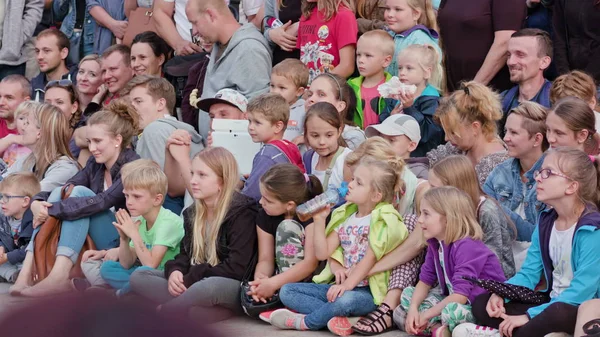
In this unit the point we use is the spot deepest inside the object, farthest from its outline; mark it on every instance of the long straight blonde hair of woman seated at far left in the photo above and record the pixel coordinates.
(55, 134)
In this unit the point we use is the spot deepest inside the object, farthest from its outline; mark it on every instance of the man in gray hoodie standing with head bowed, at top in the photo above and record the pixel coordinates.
(240, 59)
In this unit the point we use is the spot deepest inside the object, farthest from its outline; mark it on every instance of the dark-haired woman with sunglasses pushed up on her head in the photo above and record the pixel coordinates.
(63, 95)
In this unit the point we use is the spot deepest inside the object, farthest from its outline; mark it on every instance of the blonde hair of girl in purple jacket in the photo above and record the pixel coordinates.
(456, 207)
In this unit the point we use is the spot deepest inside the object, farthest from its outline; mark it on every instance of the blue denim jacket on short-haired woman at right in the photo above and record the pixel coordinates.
(505, 185)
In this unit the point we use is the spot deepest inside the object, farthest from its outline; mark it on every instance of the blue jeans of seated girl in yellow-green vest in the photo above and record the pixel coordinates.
(311, 299)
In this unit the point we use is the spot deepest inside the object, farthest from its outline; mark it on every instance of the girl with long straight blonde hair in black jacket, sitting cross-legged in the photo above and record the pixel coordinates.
(218, 246)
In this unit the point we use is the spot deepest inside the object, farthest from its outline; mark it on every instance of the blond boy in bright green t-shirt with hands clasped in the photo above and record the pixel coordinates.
(152, 239)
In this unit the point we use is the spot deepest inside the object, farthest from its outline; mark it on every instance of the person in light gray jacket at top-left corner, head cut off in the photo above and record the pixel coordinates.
(18, 24)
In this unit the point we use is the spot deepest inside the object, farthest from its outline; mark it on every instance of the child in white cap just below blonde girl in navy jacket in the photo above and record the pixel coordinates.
(403, 133)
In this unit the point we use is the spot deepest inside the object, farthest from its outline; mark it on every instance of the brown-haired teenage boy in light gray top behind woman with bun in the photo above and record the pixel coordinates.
(154, 99)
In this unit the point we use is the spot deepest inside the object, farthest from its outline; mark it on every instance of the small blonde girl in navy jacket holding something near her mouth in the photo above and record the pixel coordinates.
(418, 64)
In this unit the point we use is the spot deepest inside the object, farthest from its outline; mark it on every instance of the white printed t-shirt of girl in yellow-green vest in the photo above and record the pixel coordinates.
(354, 239)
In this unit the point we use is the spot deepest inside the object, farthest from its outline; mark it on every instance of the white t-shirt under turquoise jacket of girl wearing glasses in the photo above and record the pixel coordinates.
(561, 247)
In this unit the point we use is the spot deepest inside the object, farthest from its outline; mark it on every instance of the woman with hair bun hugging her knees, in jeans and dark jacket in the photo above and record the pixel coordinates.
(98, 192)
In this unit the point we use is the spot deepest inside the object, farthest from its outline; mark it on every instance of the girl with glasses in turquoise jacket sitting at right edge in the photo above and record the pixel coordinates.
(563, 253)
